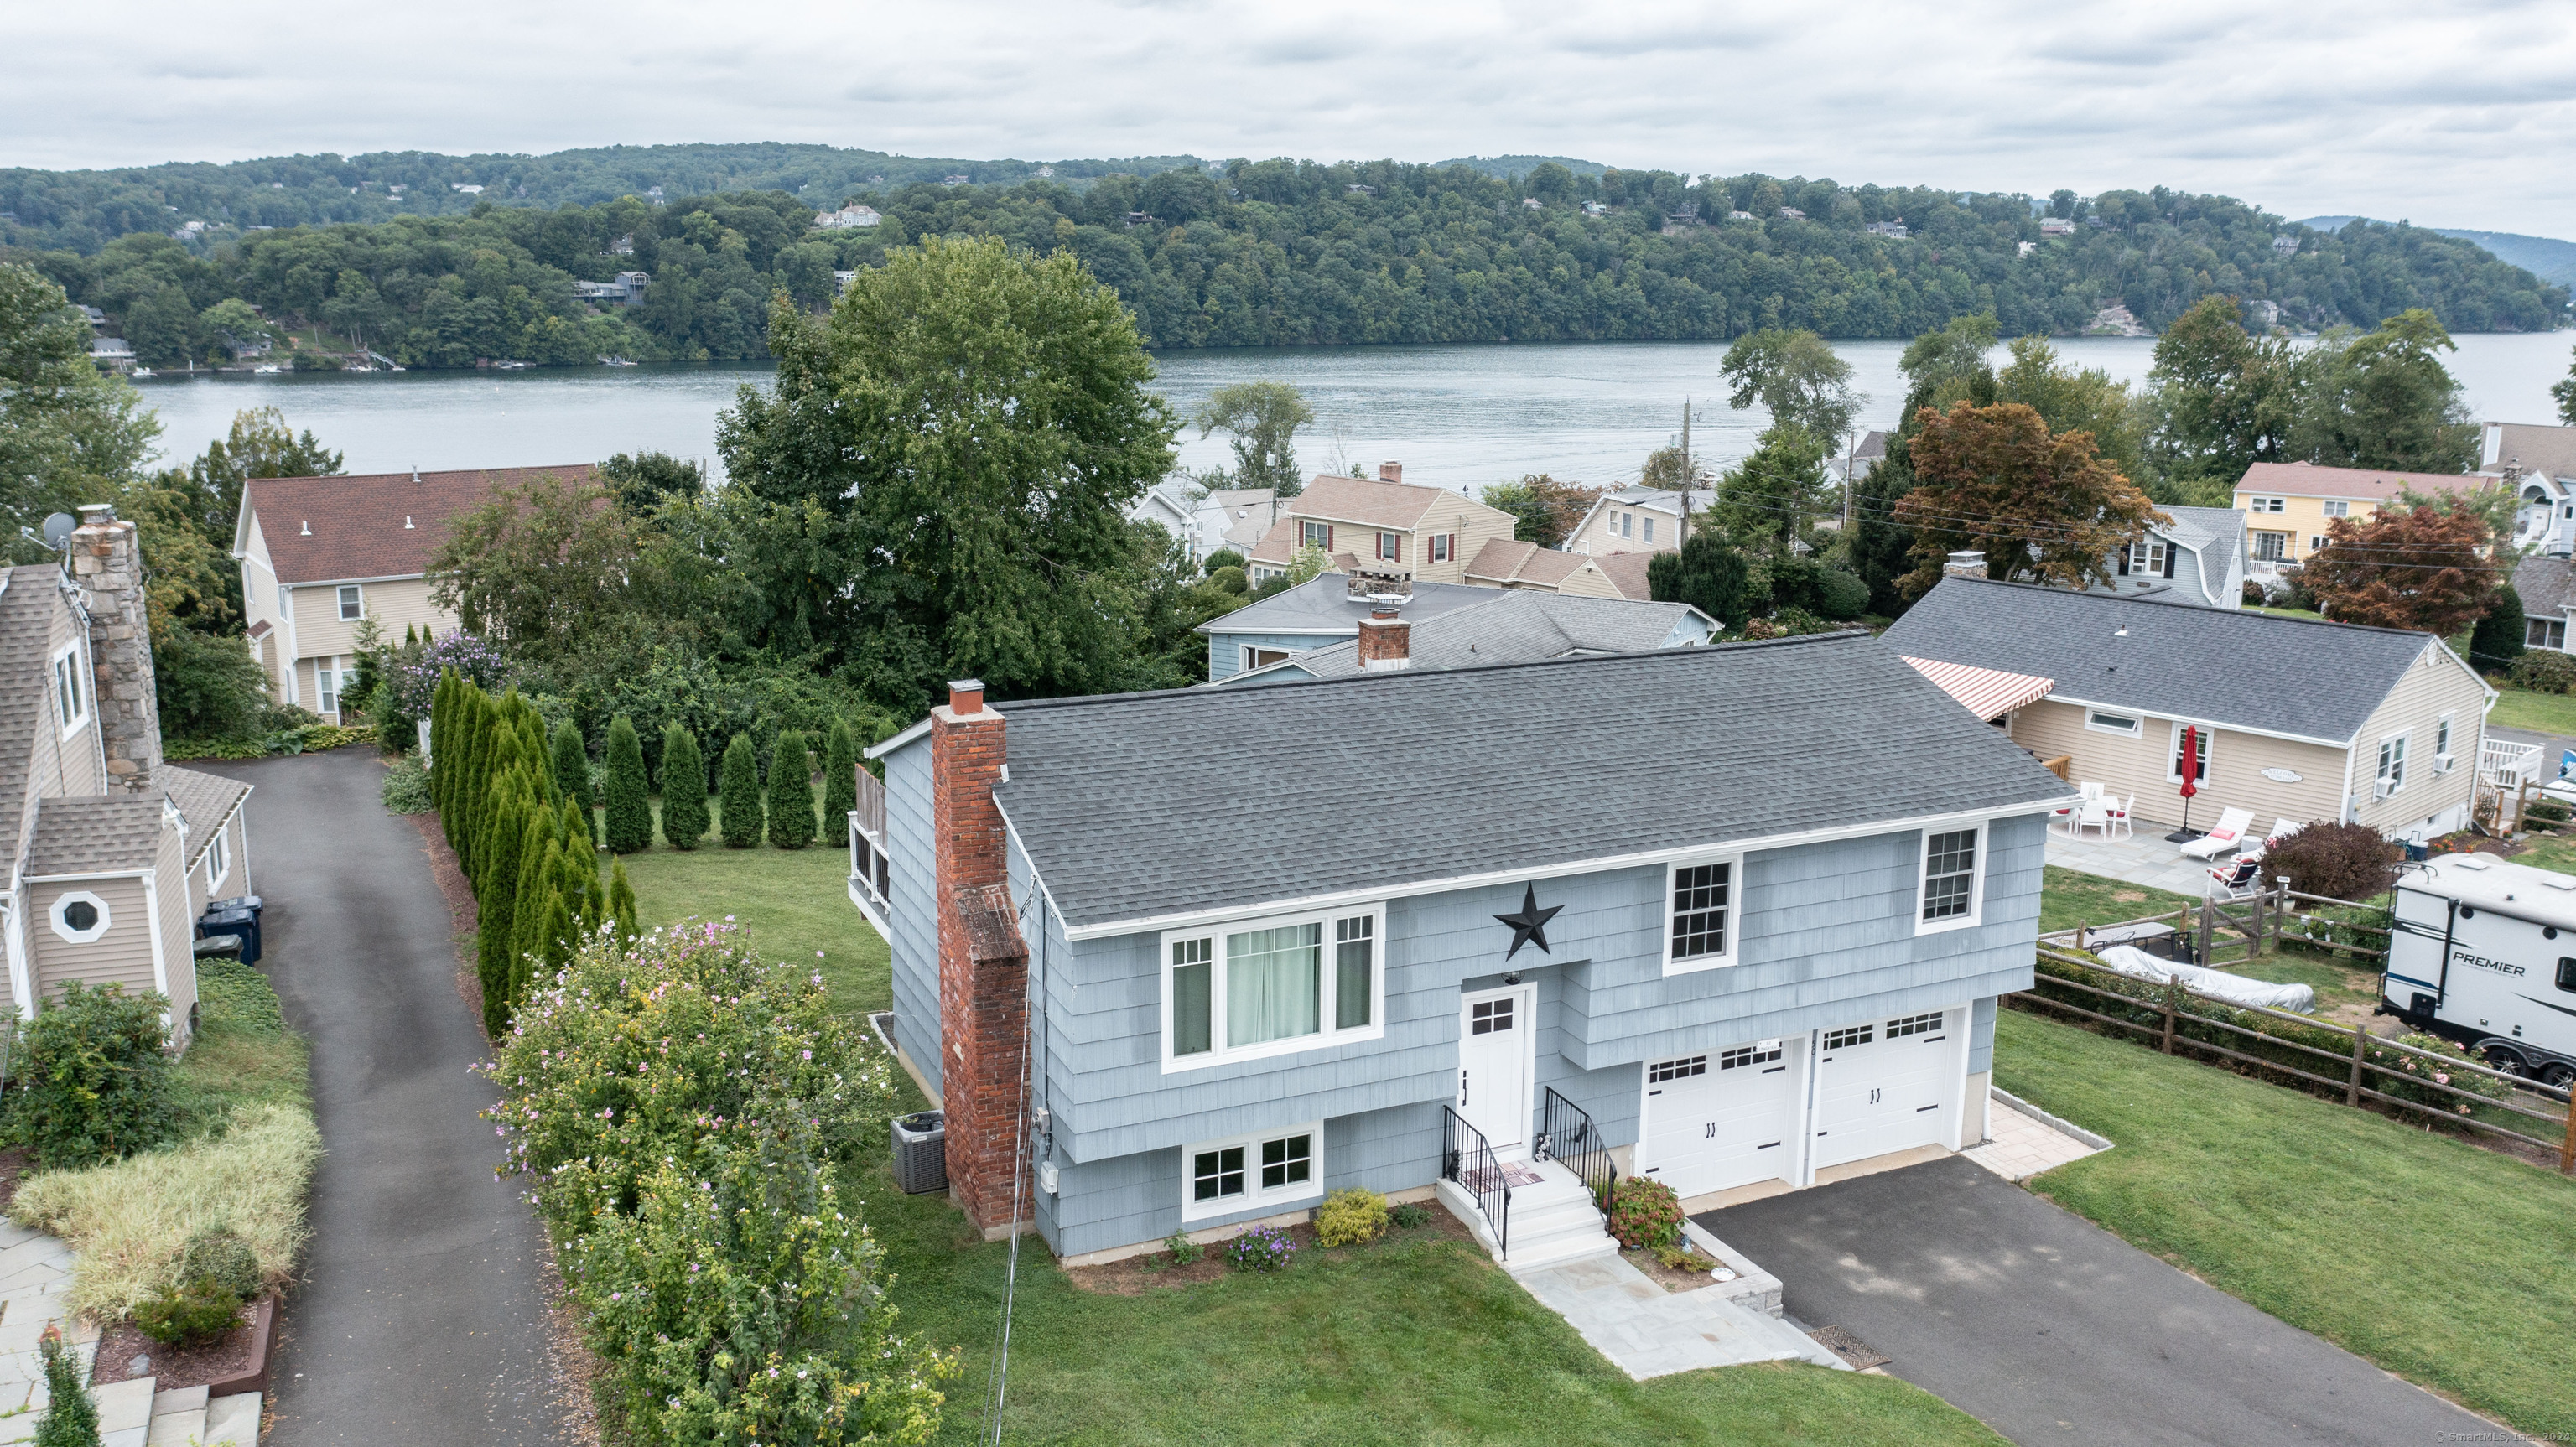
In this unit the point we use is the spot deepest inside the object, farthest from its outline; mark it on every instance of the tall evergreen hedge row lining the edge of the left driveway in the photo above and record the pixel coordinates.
(524, 841)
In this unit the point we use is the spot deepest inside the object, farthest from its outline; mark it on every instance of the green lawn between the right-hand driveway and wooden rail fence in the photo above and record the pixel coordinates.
(2436, 1260)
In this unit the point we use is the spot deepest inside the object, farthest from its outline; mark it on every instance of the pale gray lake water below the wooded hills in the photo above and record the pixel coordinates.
(1454, 416)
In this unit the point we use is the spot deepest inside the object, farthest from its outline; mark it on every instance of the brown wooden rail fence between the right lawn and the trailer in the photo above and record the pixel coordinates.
(2423, 1075)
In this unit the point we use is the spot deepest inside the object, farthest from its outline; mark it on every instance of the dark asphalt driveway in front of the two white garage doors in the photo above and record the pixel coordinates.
(2052, 1330)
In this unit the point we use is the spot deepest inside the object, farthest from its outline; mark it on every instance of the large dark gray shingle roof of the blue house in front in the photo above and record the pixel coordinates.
(1750, 740)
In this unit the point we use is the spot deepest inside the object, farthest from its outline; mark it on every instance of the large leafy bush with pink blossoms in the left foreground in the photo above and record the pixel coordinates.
(681, 1111)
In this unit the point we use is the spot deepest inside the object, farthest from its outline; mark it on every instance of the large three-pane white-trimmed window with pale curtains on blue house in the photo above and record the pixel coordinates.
(1271, 987)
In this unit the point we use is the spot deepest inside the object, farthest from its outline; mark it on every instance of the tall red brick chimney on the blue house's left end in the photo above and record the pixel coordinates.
(983, 959)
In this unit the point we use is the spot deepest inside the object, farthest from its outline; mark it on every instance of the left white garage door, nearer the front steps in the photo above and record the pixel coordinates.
(1725, 1119)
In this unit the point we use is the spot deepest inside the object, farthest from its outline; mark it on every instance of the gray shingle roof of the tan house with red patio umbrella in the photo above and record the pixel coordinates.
(2250, 671)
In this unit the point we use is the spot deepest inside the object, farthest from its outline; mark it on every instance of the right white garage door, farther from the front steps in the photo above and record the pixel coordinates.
(1887, 1085)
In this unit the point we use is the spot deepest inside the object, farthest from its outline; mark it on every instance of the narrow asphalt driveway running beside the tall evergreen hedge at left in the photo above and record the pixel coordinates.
(421, 1314)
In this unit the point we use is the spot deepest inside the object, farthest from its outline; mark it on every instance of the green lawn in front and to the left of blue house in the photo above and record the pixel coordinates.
(1413, 1340)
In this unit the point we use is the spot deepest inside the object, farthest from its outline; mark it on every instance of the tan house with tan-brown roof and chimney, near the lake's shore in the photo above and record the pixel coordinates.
(1382, 527)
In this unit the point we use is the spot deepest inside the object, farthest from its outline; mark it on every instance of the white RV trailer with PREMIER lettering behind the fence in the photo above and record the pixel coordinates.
(2485, 954)
